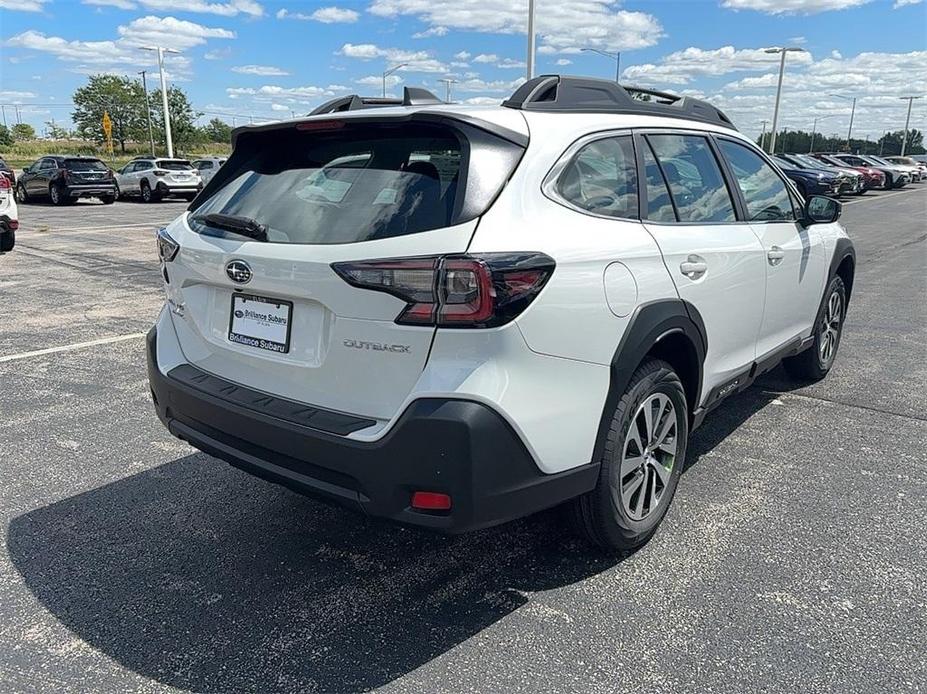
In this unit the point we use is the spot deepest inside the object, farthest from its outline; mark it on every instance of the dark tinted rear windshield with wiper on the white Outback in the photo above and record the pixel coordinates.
(358, 182)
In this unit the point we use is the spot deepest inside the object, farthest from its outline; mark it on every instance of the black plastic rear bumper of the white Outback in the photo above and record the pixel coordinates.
(456, 447)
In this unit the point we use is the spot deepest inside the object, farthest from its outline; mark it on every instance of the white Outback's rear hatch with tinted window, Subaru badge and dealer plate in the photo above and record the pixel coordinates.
(272, 312)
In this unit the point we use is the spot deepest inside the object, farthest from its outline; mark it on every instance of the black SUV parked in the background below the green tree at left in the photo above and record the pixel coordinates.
(65, 179)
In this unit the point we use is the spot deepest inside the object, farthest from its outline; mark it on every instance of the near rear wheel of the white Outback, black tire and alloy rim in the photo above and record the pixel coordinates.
(626, 506)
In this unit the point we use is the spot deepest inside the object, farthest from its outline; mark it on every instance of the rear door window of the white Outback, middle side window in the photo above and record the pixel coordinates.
(694, 178)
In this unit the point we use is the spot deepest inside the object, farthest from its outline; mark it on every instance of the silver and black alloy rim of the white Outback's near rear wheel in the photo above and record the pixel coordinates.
(648, 457)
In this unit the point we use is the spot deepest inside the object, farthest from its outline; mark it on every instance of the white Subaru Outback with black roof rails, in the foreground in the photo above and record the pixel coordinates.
(453, 316)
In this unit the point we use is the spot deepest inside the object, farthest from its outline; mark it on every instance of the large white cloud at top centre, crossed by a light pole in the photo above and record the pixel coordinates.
(565, 26)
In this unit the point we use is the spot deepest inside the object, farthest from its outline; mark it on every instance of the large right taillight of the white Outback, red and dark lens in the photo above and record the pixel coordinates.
(461, 291)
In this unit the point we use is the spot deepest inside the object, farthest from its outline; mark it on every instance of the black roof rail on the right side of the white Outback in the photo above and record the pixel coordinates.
(590, 95)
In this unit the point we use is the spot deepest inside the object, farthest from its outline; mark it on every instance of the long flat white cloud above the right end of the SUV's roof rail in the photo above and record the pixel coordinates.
(683, 66)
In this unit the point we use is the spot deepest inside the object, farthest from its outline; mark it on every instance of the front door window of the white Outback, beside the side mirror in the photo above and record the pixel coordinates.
(766, 194)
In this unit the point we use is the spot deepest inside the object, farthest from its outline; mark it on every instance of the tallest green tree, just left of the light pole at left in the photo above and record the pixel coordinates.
(121, 97)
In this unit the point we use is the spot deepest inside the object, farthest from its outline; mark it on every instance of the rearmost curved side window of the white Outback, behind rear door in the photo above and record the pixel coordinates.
(602, 178)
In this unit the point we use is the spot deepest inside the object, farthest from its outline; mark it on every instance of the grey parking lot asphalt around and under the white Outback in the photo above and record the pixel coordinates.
(793, 558)
